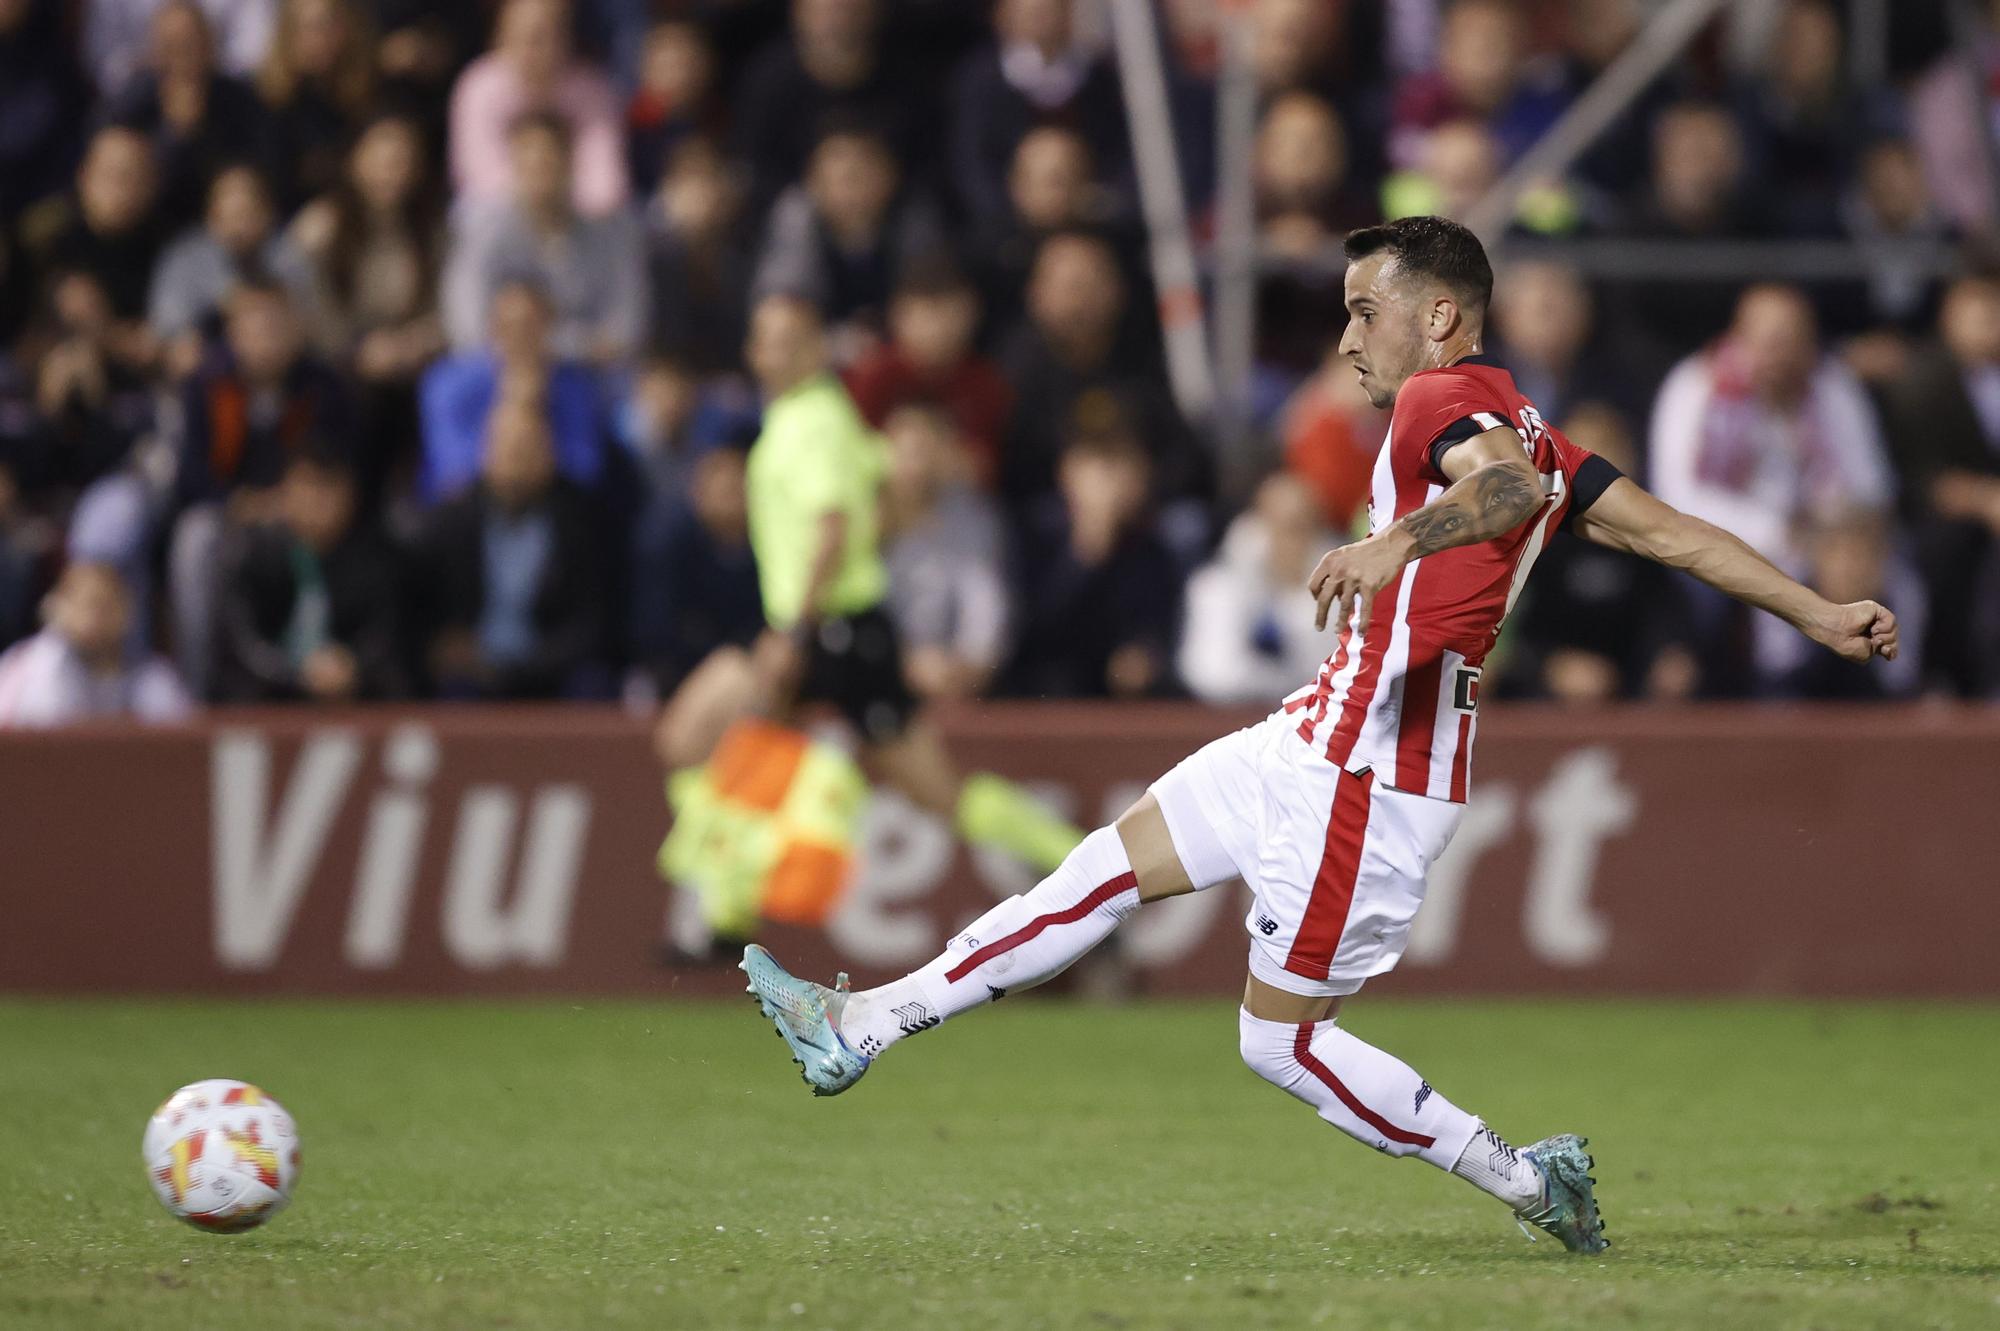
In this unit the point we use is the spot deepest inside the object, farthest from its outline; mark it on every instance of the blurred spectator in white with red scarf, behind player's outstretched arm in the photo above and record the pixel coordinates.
(1775, 443)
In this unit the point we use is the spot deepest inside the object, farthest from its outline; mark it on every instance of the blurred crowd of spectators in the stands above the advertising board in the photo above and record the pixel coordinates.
(367, 349)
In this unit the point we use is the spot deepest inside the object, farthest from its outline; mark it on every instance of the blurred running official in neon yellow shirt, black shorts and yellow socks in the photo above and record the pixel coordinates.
(813, 493)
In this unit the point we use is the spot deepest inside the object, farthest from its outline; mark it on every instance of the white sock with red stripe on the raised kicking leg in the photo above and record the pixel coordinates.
(1015, 946)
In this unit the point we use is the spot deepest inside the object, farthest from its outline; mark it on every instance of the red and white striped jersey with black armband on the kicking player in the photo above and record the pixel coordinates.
(1403, 698)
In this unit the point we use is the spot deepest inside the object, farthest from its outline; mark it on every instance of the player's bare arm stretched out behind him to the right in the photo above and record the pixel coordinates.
(1629, 519)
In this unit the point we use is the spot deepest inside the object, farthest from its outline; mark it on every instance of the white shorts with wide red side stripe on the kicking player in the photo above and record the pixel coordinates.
(1337, 864)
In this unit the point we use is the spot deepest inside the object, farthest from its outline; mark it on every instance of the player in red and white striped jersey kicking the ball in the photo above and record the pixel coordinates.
(1337, 804)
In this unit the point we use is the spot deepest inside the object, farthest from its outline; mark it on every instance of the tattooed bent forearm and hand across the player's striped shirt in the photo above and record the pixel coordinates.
(1495, 489)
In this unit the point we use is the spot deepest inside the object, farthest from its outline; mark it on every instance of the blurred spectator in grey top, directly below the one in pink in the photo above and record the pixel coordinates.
(593, 267)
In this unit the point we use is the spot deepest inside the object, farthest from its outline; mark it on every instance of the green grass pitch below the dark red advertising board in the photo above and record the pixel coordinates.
(1035, 1166)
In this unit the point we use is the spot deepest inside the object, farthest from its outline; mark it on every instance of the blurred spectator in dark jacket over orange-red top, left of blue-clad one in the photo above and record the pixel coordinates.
(245, 417)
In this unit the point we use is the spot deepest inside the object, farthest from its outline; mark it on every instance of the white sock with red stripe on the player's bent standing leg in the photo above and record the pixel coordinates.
(1361, 1090)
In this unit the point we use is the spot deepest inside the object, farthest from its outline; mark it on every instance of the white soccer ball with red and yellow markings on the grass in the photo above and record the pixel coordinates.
(223, 1156)
